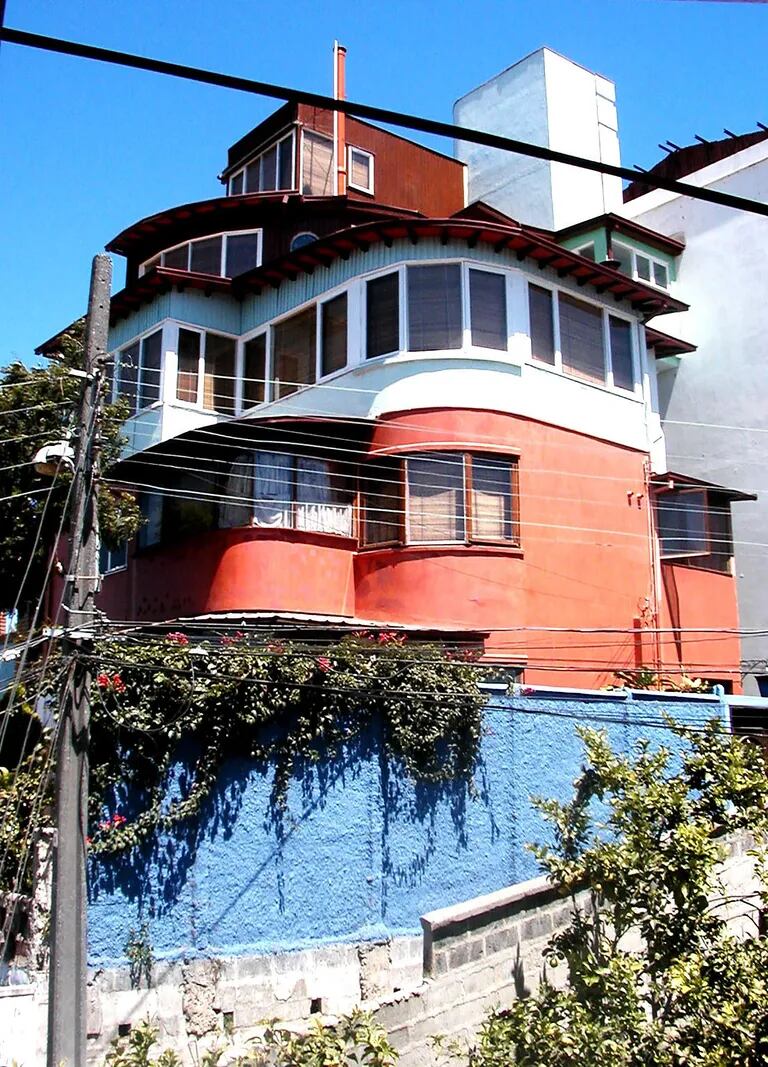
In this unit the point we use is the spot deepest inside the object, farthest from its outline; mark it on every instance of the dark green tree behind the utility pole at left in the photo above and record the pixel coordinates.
(38, 406)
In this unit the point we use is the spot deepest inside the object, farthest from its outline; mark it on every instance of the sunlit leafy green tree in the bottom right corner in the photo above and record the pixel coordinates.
(654, 975)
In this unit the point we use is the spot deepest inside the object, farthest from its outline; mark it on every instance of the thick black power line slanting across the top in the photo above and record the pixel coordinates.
(120, 58)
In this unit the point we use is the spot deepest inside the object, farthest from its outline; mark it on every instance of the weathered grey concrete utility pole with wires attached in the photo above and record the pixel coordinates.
(68, 982)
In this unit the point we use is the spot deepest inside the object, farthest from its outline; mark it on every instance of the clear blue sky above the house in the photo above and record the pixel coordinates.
(88, 149)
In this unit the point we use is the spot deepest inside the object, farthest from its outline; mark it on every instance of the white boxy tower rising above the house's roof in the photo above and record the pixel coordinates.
(550, 101)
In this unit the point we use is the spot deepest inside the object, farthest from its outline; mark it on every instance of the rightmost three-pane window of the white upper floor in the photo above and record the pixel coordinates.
(582, 340)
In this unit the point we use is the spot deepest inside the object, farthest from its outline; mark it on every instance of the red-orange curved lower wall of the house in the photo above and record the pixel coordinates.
(584, 564)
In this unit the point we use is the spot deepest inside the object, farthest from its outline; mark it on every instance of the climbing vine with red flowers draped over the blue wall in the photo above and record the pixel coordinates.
(164, 700)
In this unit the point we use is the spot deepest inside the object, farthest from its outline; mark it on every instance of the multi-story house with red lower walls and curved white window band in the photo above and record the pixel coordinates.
(363, 397)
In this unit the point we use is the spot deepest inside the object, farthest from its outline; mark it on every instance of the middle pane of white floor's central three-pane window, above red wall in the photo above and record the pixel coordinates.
(435, 308)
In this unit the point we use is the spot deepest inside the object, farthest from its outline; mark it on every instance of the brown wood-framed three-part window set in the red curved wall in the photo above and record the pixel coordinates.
(445, 498)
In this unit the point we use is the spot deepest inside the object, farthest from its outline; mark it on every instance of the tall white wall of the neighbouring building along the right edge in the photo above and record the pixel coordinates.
(723, 274)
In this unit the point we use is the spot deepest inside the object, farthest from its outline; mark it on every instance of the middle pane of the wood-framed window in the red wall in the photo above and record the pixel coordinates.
(436, 498)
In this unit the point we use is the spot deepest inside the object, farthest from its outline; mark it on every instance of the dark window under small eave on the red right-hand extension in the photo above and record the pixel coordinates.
(695, 528)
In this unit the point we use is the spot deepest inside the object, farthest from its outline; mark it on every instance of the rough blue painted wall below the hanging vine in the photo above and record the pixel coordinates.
(363, 852)
